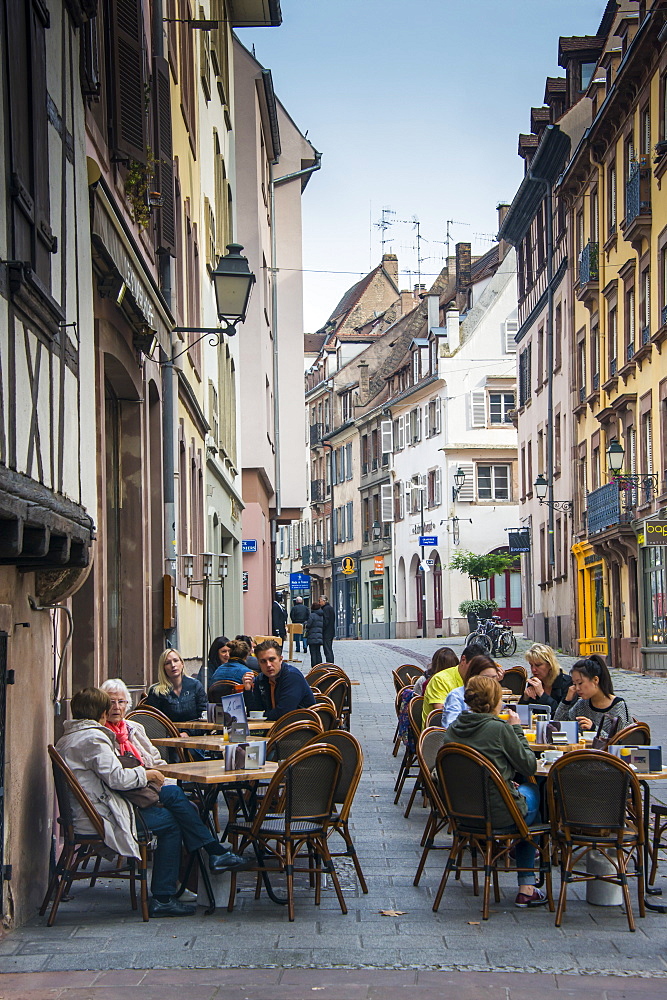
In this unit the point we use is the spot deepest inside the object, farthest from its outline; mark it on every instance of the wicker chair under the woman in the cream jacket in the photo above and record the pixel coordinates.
(79, 848)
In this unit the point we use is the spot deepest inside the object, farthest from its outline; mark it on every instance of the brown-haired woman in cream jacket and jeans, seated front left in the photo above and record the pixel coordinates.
(91, 750)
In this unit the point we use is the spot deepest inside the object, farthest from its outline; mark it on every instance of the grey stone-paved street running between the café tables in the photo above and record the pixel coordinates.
(419, 949)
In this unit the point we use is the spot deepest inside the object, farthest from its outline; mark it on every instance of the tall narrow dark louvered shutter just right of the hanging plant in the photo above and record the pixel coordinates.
(164, 162)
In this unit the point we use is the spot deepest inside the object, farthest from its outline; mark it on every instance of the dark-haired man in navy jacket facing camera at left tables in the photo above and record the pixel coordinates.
(279, 688)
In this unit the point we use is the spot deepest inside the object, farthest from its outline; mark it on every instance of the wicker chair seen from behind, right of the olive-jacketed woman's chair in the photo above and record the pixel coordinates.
(589, 794)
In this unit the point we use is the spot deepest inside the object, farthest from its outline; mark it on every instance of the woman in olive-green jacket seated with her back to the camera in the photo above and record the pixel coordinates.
(504, 744)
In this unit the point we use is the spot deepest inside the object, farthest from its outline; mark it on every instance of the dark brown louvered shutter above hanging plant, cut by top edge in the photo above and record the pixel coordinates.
(129, 114)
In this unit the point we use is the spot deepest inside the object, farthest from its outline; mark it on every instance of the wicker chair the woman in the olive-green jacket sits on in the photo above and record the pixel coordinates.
(465, 781)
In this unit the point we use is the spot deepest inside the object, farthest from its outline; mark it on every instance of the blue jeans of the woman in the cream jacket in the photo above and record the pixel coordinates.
(177, 819)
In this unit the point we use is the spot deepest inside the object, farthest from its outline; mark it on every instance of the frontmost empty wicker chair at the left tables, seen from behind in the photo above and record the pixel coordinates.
(296, 813)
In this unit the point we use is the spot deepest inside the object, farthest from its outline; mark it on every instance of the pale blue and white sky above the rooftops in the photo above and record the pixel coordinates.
(416, 107)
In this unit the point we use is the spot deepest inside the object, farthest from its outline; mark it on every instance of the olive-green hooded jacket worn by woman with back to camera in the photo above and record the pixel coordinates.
(504, 745)
